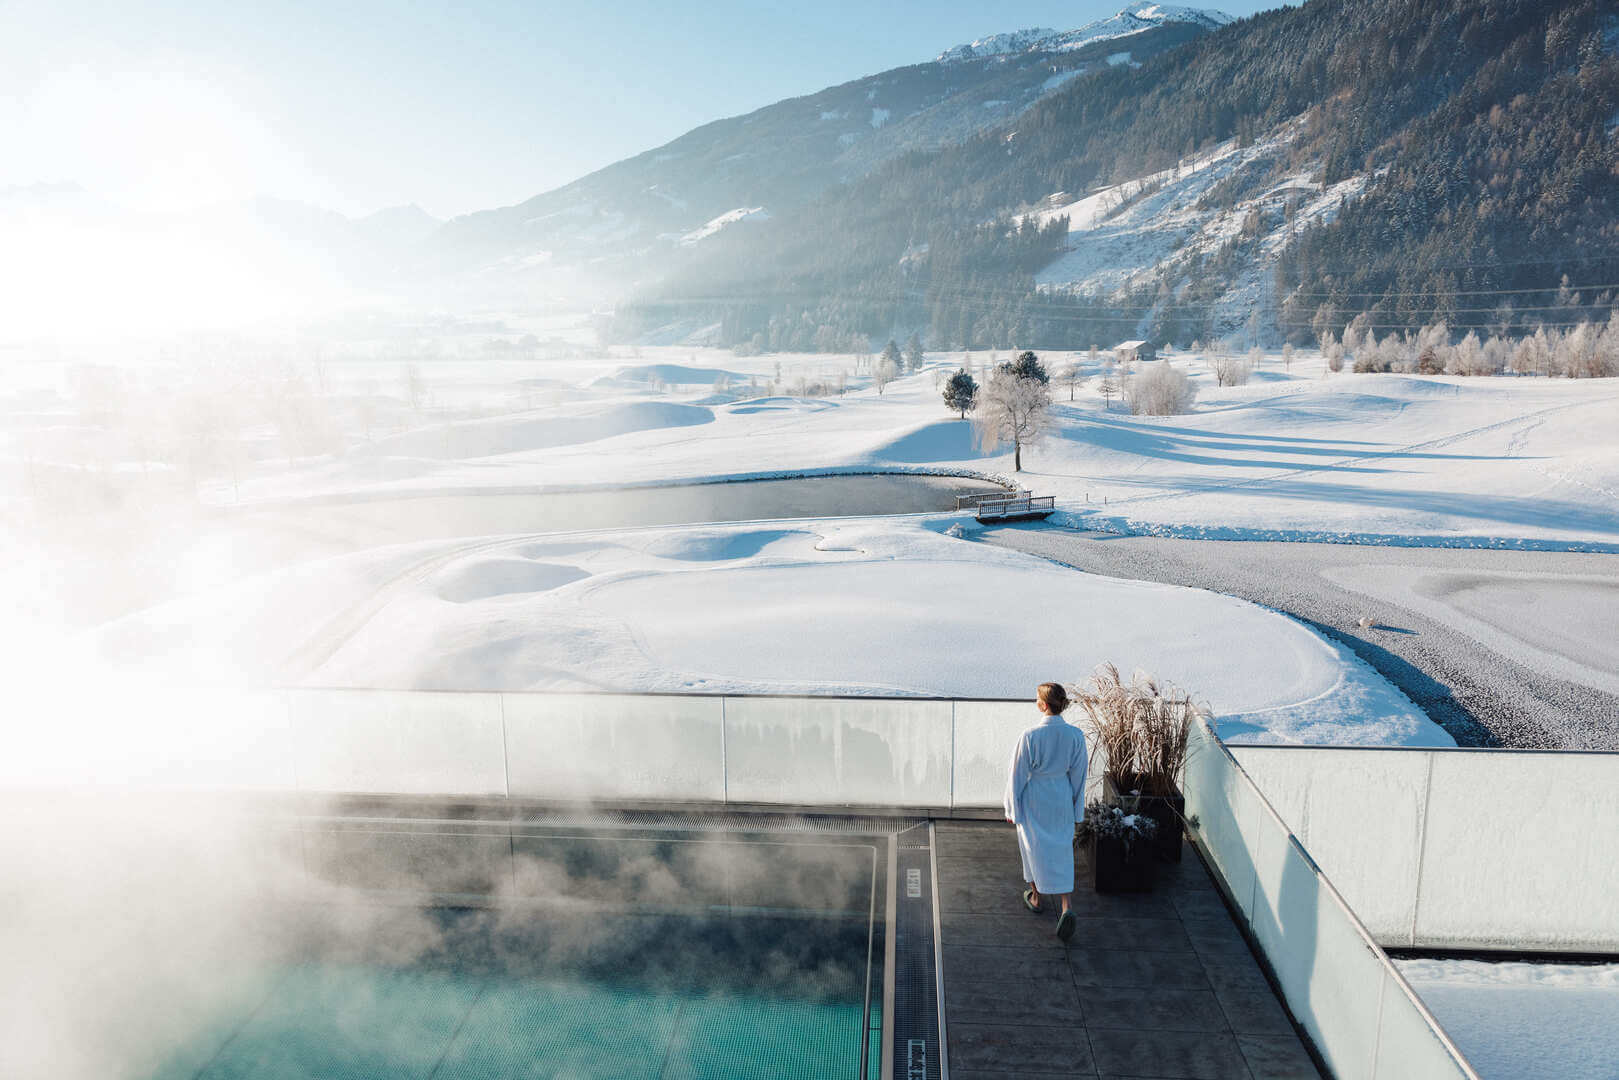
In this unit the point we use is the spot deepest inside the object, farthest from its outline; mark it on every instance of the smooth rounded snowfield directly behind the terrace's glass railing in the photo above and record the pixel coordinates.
(852, 606)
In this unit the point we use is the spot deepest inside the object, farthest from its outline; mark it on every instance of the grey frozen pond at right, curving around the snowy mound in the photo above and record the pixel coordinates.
(1502, 648)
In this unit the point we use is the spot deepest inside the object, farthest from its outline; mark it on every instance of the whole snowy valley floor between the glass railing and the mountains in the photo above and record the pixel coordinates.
(1498, 647)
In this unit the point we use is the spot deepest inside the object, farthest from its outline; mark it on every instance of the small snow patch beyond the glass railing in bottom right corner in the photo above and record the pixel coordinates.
(1519, 1021)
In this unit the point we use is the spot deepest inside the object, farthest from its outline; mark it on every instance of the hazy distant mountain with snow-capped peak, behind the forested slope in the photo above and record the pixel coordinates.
(624, 224)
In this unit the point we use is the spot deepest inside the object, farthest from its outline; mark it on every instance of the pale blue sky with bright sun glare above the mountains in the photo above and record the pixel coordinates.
(362, 104)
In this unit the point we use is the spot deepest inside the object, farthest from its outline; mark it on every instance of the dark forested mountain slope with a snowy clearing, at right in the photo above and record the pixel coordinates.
(1411, 159)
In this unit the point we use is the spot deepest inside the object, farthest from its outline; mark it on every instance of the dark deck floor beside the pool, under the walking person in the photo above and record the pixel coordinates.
(1157, 985)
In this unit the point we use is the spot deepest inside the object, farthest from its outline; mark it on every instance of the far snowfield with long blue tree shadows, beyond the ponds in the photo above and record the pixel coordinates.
(1293, 456)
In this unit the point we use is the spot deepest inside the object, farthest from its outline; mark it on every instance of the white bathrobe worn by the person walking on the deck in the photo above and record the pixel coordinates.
(1045, 799)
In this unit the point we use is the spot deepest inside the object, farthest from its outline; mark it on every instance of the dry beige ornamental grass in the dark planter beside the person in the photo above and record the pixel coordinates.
(1142, 726)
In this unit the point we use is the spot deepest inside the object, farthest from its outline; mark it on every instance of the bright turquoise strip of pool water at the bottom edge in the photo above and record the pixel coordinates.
(341, 1024)
